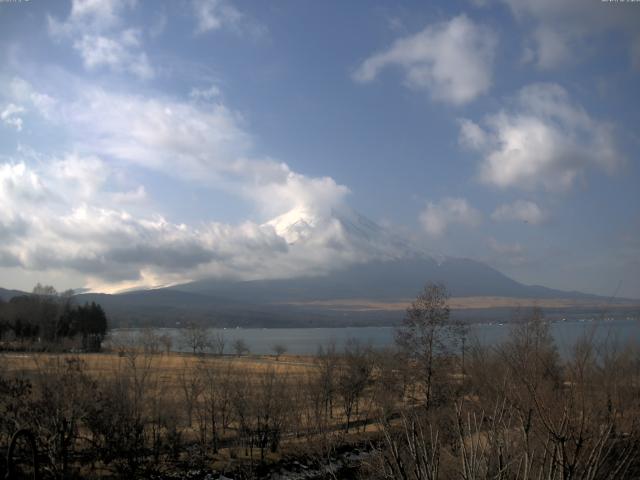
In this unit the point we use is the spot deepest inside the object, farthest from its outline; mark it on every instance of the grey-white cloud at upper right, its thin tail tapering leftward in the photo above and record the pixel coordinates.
(452, 60)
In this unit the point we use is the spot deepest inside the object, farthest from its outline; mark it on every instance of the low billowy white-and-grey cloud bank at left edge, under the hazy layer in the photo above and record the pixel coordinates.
(49, 230)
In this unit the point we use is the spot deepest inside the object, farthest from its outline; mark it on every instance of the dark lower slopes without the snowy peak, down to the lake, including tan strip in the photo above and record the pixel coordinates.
(329, 300)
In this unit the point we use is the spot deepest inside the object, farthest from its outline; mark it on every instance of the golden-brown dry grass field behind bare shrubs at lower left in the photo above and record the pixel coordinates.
(222, 405)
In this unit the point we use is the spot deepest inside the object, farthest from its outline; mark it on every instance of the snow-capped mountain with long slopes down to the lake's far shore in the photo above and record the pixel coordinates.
(355, 273)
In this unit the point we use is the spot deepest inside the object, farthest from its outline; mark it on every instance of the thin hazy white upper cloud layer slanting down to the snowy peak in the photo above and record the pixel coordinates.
(204, 143)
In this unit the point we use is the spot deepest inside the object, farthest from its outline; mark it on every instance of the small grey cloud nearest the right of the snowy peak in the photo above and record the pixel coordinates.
(437, 217)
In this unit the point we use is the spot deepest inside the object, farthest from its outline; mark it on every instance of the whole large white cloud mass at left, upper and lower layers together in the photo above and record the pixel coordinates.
(61, 213)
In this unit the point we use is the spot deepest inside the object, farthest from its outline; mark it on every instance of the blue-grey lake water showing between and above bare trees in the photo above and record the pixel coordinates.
(304, 341)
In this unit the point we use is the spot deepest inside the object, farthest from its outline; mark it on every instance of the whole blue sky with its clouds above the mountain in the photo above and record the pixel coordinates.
(145, 143)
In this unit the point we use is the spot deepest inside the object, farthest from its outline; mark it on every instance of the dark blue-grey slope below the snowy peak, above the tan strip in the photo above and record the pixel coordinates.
(390, 280)
